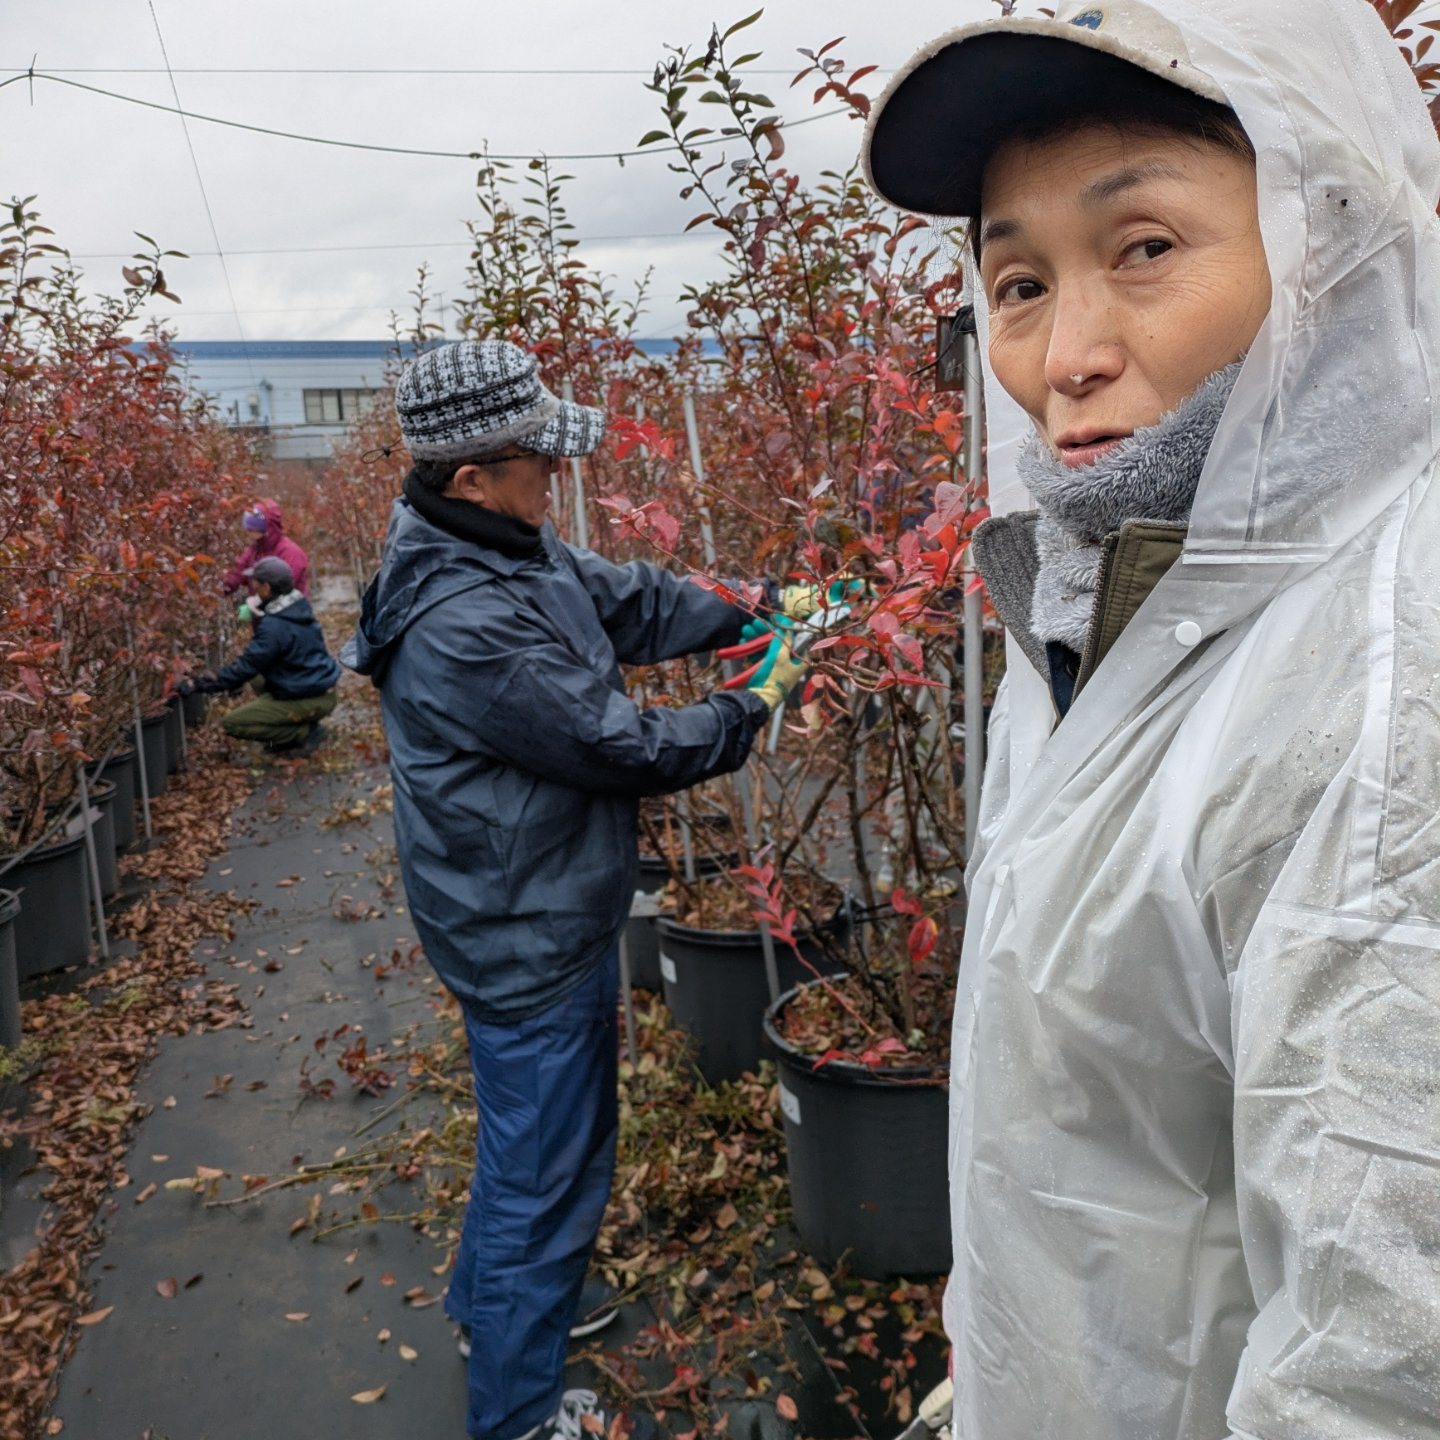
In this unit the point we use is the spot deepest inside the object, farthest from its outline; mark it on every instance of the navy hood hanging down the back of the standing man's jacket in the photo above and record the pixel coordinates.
(423, 565)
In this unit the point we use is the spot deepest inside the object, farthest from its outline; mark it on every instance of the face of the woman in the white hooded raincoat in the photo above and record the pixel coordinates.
(1120, 271)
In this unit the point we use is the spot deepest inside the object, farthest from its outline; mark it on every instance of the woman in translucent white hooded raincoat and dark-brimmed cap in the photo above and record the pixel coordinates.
(1196, 1102)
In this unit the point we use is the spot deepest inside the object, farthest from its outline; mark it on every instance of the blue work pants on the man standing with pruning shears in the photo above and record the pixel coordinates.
(545, 1158)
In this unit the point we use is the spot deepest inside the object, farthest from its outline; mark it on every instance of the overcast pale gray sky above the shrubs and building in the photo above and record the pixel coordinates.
(346, 230)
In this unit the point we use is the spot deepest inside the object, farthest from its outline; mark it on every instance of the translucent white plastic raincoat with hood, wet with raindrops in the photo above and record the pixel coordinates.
(1196, 1104)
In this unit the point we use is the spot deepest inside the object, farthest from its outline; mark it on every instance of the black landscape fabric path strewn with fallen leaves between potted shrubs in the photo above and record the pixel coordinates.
(225, 1327)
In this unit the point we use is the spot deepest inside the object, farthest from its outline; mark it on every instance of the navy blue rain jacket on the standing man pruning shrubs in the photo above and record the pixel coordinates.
(518, 758)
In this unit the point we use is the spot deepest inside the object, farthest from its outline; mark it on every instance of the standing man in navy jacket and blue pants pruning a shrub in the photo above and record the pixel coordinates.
(519, 762)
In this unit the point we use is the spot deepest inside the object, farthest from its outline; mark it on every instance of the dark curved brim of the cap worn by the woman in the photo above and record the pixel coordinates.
(947, 112)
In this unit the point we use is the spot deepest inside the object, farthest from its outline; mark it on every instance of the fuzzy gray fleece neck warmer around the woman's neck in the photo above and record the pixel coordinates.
(1150, 476)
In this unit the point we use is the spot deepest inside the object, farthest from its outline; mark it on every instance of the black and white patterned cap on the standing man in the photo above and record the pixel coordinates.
(477, 398)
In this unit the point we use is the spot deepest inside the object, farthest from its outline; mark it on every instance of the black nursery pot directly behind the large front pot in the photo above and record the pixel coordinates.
(716, 989)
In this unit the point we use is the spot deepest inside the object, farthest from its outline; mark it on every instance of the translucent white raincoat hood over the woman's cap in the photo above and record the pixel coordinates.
(1333, 415)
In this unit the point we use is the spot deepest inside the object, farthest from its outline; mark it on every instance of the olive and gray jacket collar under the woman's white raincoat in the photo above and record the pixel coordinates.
(1134, 559)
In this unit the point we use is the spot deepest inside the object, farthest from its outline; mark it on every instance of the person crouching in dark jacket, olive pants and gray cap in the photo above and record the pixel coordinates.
(289, 663)
